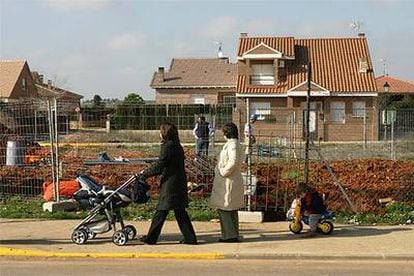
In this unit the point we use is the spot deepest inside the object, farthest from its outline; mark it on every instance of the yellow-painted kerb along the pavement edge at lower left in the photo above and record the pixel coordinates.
(16, 252)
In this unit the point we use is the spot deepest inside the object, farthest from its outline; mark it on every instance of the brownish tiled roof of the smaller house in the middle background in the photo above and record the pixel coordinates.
(196, 72)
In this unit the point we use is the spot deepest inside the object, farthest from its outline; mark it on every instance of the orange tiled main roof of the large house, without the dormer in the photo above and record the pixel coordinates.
(335, 67)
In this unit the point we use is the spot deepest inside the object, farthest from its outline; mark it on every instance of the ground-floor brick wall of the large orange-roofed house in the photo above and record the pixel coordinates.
(283, 110)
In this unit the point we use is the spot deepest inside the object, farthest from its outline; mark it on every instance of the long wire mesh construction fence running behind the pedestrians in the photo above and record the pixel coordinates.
(354, 146)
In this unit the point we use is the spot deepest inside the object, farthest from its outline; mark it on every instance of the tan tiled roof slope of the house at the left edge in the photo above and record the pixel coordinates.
(9, 74)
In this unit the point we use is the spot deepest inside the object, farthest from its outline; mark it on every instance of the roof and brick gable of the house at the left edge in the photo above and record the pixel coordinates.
(16, 82)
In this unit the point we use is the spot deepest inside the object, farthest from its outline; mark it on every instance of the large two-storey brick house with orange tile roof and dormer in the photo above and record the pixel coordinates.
(272, 83)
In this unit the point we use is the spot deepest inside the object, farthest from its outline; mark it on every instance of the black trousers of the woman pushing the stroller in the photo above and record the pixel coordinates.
(183, 220)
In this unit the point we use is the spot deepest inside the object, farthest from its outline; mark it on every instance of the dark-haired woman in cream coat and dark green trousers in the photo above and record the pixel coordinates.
(227, 194)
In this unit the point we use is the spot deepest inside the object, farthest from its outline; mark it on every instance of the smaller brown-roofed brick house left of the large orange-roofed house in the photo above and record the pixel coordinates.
(196, 81)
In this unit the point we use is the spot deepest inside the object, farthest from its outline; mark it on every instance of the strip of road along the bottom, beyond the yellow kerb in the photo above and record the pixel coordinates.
(39, 266)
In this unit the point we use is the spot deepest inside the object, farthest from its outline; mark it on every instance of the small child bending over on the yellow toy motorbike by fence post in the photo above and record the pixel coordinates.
(312, 206)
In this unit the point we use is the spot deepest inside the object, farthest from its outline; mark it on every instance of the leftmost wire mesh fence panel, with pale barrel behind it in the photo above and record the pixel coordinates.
(25, 165)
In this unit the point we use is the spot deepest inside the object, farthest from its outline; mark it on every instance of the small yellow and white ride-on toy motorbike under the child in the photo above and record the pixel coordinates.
(296, 217)
